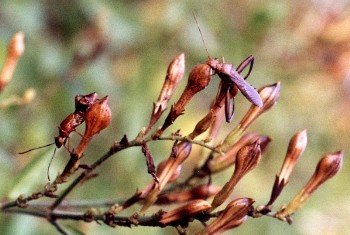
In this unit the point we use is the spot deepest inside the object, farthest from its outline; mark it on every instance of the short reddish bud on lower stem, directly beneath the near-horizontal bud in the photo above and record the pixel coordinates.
(184, 212)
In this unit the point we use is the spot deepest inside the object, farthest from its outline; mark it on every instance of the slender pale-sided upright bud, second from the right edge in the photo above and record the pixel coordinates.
(296, 148)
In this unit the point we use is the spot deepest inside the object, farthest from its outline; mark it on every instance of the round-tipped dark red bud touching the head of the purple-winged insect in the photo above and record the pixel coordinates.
(198, 79)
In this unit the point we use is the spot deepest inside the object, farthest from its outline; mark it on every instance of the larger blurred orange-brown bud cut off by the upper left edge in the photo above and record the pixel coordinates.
(14, 52)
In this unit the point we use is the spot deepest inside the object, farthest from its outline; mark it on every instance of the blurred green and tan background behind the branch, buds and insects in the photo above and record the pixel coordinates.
(122, 49)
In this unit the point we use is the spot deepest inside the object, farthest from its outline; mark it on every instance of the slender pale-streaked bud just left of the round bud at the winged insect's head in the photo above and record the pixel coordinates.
(173, 77)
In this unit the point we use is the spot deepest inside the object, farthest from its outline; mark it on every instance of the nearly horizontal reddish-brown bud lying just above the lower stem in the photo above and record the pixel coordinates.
(200, 192)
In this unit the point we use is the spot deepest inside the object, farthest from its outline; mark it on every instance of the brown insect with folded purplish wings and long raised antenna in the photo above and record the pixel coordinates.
(231, 80)
